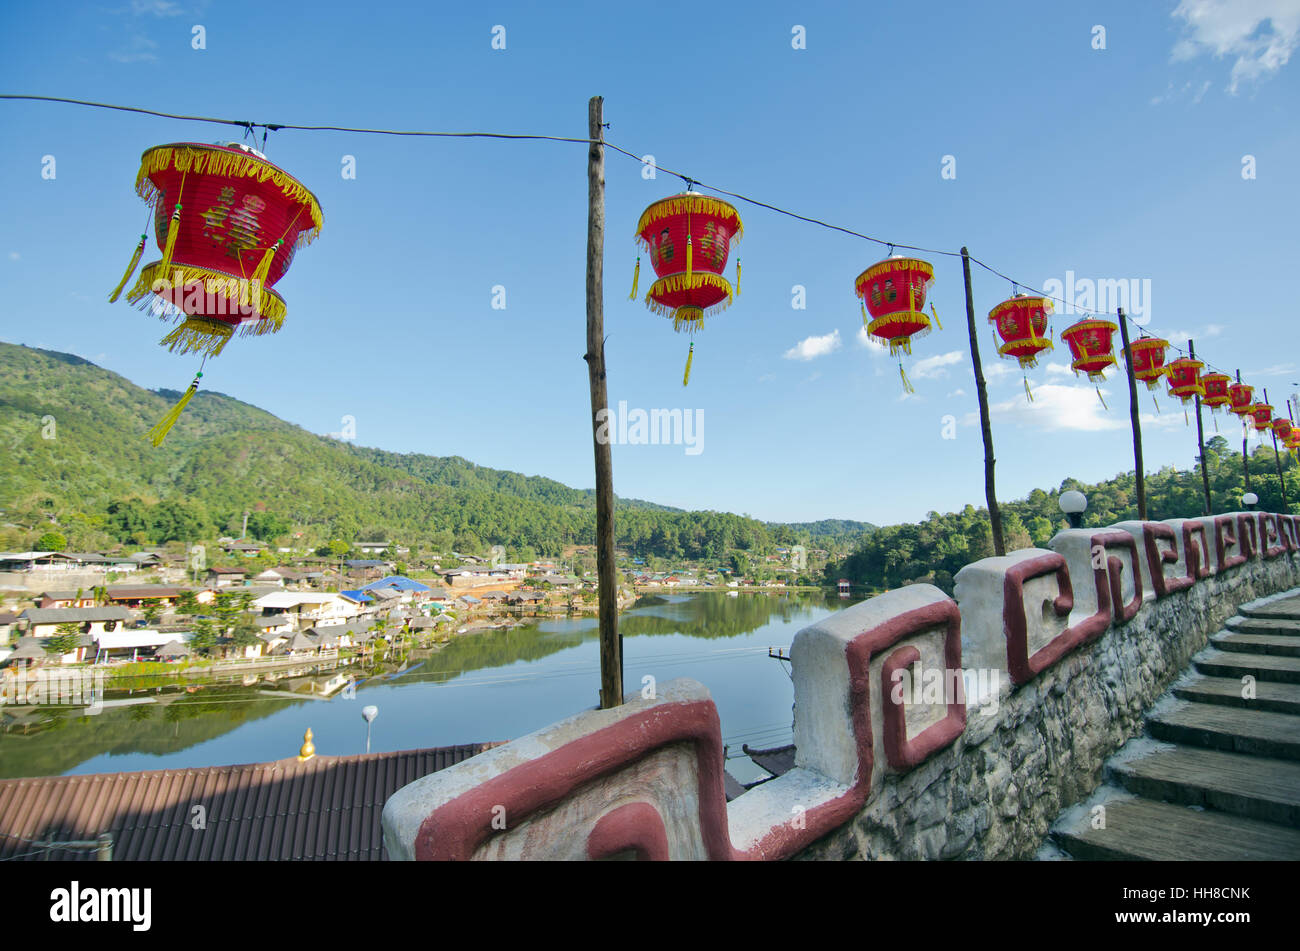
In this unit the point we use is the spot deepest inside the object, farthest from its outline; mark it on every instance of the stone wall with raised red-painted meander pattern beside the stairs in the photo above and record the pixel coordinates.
(925, 727)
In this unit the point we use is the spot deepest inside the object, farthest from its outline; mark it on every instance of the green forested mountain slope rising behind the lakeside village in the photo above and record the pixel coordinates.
(77, 461)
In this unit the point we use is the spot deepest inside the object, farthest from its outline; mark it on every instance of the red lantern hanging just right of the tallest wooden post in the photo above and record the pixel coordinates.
(688, 238)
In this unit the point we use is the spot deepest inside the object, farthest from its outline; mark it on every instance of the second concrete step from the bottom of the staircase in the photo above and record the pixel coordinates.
(1247, 787)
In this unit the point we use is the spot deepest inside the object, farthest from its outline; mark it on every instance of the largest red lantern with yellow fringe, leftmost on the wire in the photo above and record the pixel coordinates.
(228, 223)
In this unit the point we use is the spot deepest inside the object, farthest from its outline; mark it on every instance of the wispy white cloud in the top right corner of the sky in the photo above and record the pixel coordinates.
(1259, 36)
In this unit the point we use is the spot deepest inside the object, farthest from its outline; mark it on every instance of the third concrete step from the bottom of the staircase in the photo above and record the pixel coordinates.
(1230, 729)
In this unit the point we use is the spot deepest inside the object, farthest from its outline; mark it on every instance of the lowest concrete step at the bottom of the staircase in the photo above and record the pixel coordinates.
(1142, 830)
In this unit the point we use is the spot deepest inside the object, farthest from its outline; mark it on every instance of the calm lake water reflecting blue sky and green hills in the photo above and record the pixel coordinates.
(489, 687)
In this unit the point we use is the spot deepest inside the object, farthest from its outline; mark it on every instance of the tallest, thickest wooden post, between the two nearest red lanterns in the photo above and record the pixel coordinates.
(612, 644)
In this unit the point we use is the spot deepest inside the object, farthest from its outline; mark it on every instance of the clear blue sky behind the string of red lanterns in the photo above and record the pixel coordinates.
(1124, 163)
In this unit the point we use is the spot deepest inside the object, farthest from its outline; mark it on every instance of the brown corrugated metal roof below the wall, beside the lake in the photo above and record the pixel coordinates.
(327, 809)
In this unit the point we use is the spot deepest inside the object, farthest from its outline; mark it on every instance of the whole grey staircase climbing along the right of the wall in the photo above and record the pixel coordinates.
(1217, 774)
